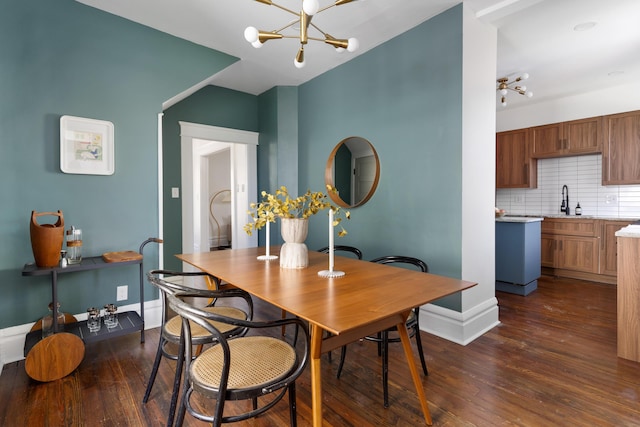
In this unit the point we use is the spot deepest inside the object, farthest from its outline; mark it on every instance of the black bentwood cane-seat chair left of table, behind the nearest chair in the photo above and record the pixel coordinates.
(171, 282)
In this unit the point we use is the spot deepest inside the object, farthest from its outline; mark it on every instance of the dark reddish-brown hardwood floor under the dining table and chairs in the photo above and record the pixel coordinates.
(552, 361)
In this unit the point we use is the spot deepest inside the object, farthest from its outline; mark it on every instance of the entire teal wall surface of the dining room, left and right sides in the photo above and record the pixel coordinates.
(404, 96)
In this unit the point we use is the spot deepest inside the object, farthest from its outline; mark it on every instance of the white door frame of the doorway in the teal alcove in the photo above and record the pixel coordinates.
(198, 141)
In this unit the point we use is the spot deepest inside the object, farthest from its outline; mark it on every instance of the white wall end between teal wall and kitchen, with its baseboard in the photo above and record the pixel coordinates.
(479, 305)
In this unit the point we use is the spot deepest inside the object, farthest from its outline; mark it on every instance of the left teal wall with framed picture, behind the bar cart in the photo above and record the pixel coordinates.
(64, 58)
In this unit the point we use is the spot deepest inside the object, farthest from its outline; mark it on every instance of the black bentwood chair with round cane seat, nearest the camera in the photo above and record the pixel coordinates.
(253, 366)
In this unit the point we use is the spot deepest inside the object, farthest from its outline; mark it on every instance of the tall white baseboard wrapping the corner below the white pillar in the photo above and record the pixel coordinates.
(461, 328)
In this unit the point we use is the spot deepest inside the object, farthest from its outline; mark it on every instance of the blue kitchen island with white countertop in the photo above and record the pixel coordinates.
(518, 264)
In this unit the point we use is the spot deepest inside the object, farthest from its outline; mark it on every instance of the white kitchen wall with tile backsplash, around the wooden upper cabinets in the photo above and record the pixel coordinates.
(582, 174)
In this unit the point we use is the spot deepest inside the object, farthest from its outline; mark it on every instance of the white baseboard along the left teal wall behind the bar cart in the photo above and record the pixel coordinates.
(12, 338)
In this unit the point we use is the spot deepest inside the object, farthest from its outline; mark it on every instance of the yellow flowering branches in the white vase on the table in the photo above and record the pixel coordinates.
(284, 206)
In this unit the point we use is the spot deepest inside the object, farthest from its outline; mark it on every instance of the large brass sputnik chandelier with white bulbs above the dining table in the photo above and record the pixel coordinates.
(310, 8)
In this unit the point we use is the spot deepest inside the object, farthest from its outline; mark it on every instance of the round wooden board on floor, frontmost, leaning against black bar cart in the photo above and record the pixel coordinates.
(54, 357)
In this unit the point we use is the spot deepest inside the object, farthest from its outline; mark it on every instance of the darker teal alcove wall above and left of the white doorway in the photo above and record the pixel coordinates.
(212, 106)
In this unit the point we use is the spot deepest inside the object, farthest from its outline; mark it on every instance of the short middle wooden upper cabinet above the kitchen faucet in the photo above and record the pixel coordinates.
(567, 138)
